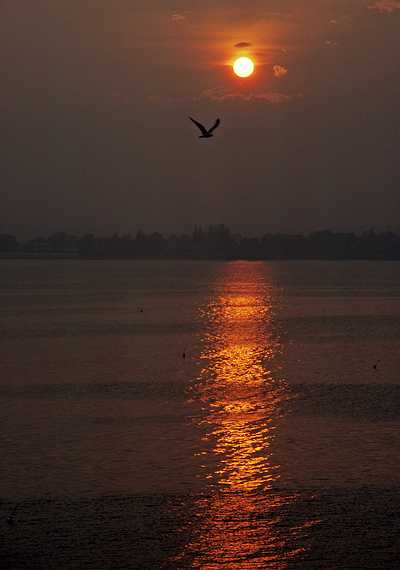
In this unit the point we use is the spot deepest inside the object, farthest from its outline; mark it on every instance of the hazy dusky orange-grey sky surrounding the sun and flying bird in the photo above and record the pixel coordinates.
(95, 97)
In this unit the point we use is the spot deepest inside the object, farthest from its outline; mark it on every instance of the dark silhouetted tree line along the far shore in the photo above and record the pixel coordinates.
(215, 242)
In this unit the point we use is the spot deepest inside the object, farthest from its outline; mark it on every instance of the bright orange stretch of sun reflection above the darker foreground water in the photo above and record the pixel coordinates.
(241, 398)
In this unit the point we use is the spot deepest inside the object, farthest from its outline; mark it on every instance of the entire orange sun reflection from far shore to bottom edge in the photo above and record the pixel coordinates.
(238, 521)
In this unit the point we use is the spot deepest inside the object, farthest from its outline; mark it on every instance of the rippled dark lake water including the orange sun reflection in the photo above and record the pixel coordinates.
(273, 443)
